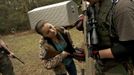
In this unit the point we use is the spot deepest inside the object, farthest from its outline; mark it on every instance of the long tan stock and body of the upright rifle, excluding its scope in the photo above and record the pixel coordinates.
(90, 62)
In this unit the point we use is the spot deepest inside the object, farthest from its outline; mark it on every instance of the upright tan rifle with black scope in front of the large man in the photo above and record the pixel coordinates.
(91, 41)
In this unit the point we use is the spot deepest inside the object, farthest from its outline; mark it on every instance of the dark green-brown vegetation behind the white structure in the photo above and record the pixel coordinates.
(13, 13)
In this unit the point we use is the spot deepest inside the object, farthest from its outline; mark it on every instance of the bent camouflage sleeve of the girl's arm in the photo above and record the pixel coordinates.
(52, 62)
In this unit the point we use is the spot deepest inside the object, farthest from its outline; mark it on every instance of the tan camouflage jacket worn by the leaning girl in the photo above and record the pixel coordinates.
(51, 57)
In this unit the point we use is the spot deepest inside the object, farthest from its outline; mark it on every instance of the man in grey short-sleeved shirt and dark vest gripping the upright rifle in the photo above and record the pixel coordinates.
(118, 14)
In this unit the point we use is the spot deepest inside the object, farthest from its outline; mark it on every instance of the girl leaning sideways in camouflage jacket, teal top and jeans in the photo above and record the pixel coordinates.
(56, 48)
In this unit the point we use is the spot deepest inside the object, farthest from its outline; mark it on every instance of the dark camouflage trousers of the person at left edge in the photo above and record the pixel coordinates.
(6, 67)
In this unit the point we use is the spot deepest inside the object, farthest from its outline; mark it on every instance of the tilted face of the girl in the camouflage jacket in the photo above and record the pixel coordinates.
(49, 30)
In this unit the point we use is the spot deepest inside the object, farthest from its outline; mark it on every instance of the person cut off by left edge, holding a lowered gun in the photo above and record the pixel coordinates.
(6, 67)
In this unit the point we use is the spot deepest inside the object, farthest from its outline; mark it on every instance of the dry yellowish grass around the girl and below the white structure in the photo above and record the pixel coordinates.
(25, 46)
